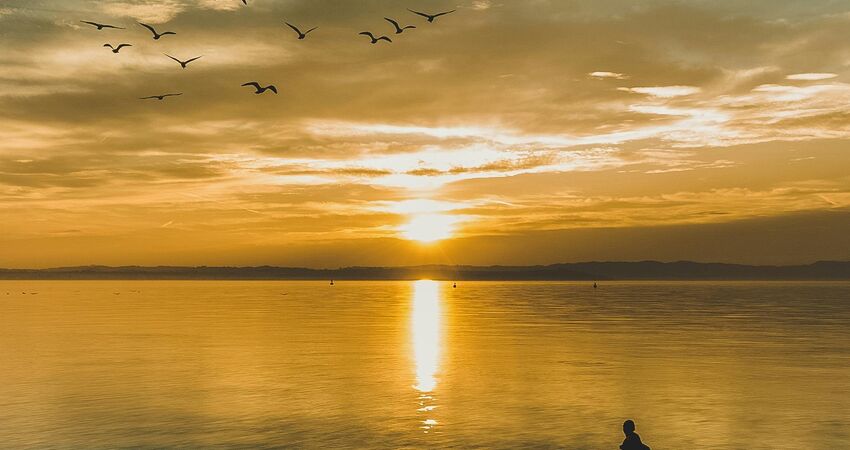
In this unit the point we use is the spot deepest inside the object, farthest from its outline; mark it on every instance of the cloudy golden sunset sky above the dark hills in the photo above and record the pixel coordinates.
(508, 132)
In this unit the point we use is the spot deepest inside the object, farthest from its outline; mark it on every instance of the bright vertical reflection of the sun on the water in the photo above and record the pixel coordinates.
(426, 329)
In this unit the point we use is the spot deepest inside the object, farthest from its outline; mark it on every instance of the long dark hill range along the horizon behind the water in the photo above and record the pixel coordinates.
(643, 270)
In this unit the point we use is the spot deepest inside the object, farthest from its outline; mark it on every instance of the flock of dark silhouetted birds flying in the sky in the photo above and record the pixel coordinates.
(258, 88)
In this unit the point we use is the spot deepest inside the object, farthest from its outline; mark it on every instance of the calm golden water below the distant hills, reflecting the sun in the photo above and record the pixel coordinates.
(422, 365)
